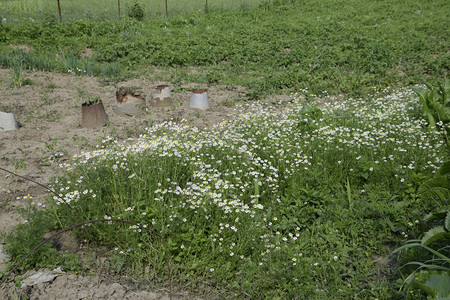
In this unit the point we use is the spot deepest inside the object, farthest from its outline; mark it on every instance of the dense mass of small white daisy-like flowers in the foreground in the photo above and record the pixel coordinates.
(237, 168)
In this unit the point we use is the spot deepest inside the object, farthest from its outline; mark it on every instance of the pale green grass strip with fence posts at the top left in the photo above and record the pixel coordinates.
(14, 11)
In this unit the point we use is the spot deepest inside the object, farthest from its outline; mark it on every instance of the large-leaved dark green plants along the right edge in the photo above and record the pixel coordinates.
(428, 258)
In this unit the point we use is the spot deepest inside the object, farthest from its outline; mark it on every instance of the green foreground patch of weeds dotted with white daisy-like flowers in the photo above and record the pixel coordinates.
(274, 204)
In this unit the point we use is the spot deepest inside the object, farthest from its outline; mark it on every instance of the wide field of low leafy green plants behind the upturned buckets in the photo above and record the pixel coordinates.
(269, 49)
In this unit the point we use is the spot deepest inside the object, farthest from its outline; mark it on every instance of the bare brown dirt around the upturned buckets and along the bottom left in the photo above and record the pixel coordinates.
(48, 111)
